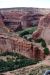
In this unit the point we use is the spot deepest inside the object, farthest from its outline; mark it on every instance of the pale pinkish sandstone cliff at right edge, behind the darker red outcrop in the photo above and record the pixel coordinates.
(45, 24)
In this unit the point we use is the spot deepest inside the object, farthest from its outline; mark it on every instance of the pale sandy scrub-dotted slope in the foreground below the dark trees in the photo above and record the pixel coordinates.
(38, 69)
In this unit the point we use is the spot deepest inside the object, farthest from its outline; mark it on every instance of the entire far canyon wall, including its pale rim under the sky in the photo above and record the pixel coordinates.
(17, 19)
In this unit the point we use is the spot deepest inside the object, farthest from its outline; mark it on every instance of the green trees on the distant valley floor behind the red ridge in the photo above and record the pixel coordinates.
(26, 33)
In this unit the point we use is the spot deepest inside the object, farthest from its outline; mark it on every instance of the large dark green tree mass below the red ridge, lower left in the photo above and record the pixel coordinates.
(19, 62)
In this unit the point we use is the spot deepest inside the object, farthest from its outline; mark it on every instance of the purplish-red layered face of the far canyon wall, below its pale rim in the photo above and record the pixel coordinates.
(19, 20)
